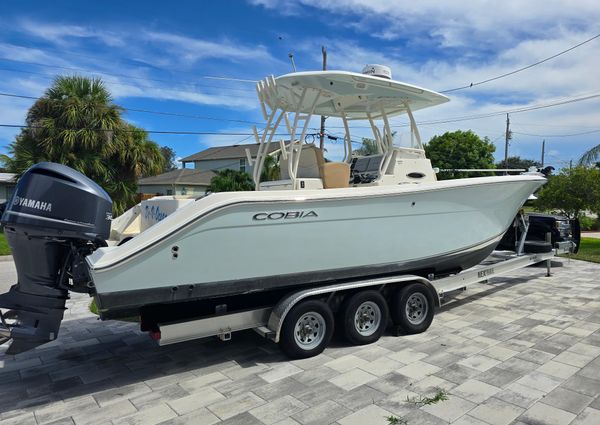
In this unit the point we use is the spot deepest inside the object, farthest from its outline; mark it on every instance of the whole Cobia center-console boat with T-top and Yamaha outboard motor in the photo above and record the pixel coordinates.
(322, 221)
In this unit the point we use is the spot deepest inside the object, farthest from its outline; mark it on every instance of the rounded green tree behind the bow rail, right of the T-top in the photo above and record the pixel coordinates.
(460, 150)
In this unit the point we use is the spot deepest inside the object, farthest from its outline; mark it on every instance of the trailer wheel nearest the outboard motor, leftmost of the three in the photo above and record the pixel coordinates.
(307, 329)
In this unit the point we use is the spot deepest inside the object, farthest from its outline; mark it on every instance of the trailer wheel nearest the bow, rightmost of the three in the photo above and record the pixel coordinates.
(413, 308)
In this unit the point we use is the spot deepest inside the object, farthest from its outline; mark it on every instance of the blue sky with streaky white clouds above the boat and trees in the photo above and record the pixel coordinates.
(201, 59)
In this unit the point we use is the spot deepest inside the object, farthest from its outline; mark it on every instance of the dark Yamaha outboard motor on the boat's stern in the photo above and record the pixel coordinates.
(55, 218)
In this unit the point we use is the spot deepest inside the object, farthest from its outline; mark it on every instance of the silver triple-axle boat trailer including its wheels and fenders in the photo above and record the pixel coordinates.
(302, 322)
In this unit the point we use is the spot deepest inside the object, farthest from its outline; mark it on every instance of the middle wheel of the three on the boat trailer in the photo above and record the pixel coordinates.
(364, 317)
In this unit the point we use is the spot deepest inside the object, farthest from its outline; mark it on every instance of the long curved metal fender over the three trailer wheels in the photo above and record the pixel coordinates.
(283, 307)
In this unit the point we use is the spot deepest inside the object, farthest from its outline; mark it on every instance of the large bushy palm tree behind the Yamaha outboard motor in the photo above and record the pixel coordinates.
(76, 123)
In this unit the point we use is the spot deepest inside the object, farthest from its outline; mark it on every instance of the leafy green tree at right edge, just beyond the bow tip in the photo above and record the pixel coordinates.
(571, 192)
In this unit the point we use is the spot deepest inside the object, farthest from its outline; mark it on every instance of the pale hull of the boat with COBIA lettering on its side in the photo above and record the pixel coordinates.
(229, 243)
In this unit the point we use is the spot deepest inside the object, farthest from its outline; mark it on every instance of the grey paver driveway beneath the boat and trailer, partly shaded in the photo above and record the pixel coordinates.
(522, 349)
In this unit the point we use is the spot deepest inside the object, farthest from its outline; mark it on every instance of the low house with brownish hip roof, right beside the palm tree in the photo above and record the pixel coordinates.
(177, 182)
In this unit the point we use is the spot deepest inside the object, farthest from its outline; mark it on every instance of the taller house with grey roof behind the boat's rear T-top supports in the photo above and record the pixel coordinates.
(227, 157)
